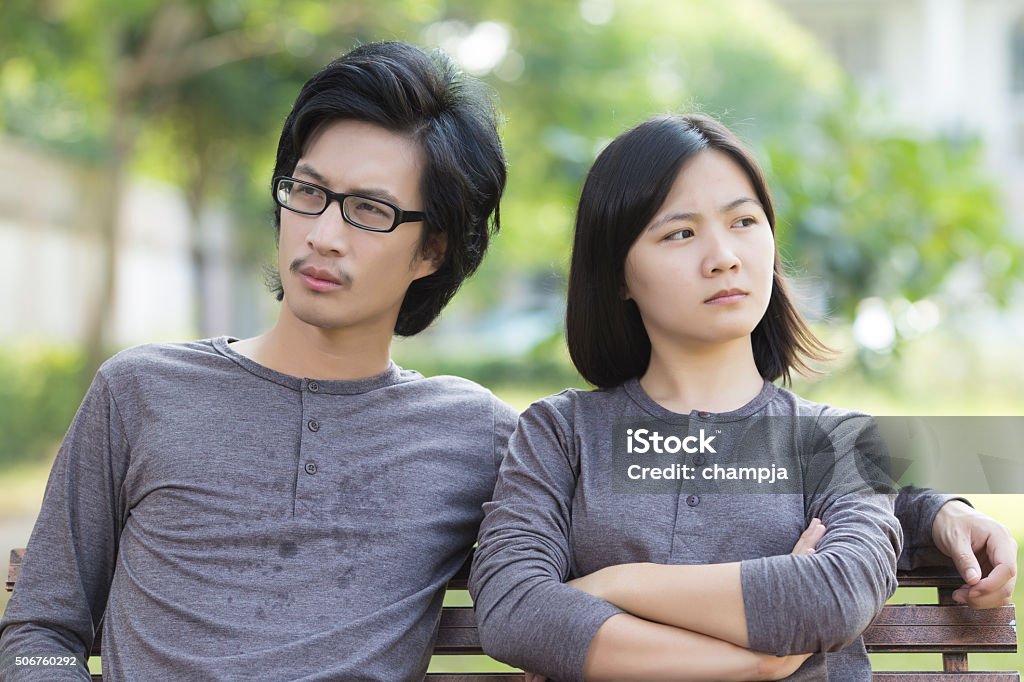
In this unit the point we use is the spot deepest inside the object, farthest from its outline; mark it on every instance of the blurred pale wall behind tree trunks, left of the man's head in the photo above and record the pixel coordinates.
(52, 261)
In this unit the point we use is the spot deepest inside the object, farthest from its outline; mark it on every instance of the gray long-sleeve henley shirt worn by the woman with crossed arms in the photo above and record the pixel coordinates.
(561, 511)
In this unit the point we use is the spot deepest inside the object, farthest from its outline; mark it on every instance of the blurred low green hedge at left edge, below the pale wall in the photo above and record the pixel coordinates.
(40, 391)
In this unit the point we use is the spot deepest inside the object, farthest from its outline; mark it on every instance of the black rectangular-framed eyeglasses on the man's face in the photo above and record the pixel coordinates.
(364, 212)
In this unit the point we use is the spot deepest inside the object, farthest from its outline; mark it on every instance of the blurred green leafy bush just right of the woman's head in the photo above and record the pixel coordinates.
(877, 214)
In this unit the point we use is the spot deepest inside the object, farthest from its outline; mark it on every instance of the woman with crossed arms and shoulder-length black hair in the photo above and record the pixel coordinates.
(678, 314)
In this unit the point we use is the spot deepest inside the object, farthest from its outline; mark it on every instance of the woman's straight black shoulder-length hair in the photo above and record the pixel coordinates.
(627, 186)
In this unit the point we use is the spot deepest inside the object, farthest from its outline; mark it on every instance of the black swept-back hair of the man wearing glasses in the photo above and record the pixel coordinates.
(403, 90)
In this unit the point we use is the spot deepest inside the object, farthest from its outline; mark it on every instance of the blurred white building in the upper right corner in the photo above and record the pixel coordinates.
(950, 67)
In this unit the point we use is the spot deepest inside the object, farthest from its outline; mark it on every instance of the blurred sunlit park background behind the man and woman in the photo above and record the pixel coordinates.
(138, 140)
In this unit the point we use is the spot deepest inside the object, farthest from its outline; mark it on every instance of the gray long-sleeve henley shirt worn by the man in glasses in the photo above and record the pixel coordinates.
(238, 524)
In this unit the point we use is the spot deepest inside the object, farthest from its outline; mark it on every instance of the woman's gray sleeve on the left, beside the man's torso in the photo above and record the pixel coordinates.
(528, 617)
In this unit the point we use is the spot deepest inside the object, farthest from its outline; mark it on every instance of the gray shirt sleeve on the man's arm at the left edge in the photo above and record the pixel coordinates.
(69, 564)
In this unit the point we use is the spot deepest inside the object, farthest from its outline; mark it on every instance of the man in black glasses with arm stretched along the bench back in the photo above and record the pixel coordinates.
(291, 506)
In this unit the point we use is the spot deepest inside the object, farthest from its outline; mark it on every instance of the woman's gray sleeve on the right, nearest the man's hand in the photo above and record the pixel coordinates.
(824, 602)
